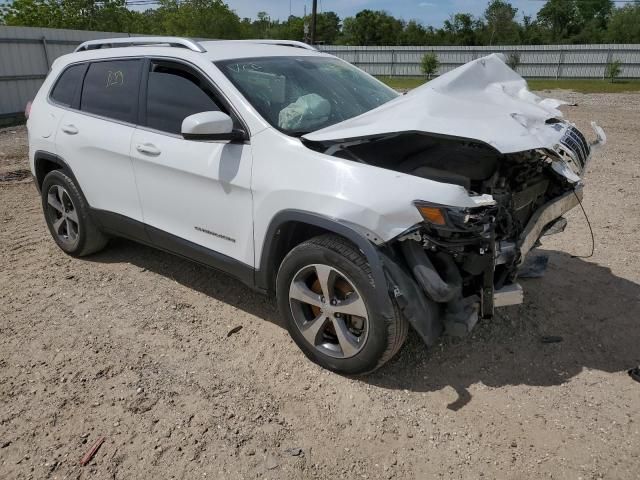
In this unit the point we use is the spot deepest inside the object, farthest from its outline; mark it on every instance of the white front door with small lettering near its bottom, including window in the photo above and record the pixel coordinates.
(193, 193)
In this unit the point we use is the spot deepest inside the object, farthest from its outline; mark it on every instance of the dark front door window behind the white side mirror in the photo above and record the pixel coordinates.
(174, 92)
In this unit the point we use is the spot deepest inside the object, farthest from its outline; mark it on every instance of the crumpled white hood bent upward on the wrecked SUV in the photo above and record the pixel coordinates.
(484, 100)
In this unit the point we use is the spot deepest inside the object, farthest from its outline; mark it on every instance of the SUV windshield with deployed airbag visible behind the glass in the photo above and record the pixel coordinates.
(298, 95)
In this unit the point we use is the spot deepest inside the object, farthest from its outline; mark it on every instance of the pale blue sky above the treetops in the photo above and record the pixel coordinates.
(429, 12)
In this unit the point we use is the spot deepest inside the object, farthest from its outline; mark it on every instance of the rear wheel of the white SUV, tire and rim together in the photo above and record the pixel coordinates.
(79, 241)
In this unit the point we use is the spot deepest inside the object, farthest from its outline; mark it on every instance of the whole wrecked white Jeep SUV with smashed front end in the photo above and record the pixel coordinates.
(363, 210)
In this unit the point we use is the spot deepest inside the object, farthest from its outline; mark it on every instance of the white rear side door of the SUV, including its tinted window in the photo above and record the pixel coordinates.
(95, 132)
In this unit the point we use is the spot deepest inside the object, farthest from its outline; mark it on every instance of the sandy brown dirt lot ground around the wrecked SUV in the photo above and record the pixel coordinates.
(131, 344)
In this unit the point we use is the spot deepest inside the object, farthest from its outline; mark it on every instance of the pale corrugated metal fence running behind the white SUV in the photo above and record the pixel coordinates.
(26, 55)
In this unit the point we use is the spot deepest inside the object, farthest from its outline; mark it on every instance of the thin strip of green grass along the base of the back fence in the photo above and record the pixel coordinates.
(582, 86)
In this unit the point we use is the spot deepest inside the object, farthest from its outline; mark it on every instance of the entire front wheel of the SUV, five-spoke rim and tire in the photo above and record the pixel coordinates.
(325, 293)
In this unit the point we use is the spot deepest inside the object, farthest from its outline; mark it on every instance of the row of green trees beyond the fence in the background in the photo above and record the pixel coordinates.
(558, 21)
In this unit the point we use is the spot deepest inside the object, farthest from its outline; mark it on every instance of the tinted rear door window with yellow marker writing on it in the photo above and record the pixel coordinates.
(111, 89)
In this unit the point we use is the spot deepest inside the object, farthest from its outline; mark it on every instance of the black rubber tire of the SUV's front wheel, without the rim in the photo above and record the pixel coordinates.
(384, 337)
